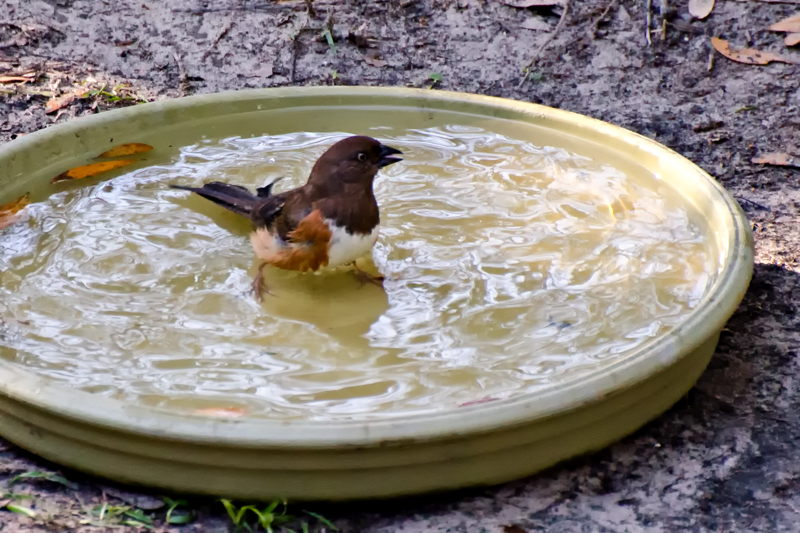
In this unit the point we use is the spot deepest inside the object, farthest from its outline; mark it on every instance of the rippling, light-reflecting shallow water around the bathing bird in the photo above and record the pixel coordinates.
(511, 267)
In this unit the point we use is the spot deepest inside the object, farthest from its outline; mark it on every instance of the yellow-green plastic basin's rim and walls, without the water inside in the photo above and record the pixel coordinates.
(480, 444)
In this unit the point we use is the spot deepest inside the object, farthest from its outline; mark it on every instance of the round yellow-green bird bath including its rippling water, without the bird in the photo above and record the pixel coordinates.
(553, 283)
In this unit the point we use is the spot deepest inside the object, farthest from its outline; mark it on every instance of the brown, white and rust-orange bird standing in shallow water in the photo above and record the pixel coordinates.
(331, 220)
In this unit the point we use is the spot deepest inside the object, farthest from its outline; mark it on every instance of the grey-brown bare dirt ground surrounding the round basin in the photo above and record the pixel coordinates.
(725, 458)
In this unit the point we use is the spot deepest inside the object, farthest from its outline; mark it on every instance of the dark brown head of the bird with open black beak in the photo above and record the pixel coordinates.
(355, 159)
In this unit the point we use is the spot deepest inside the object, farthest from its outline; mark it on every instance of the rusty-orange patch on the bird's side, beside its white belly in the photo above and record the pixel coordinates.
(308, 245)
